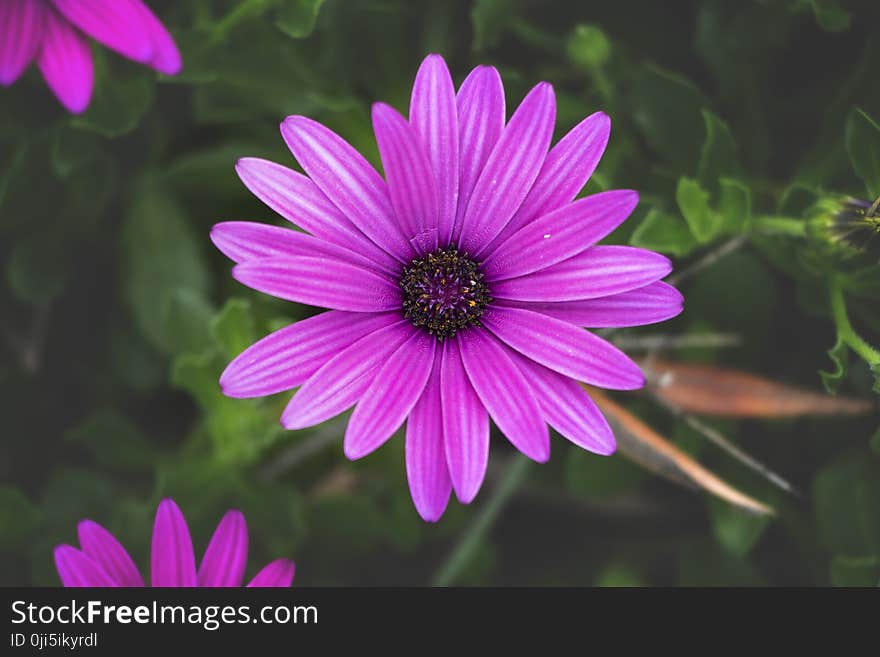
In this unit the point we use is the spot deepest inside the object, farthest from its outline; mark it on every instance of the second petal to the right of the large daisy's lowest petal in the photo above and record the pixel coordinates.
(505, 393)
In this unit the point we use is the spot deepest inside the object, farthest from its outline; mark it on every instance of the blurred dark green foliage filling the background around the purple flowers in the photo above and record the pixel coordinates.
(117, 316)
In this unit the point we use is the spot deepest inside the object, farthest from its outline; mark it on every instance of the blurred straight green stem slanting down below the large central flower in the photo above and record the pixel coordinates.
(476, 533)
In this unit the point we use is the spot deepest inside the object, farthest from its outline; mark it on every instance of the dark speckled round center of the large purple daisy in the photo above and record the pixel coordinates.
(443, 292)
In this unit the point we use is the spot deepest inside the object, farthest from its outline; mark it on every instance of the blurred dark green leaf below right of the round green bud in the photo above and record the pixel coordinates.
(667, 108)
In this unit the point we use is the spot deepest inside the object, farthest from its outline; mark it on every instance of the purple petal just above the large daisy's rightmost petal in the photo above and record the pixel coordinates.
(599, 271)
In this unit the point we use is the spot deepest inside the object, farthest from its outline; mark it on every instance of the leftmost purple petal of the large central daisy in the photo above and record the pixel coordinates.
(247, 240)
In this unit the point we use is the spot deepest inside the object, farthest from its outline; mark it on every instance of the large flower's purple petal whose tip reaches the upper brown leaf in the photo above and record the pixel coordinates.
(564, 347)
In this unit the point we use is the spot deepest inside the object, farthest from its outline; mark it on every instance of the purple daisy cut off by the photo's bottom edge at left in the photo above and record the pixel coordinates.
(102, 561)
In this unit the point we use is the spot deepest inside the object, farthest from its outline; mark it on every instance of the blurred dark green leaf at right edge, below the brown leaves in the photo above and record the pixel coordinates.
(847, 504)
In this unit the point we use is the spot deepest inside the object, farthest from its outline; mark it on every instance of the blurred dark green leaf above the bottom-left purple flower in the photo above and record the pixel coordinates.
(114, 441)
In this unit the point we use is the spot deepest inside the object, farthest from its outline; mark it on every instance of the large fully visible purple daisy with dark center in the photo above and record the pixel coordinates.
(459, 286)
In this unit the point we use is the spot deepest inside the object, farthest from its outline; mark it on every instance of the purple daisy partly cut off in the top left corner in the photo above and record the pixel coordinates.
(54, 34)
